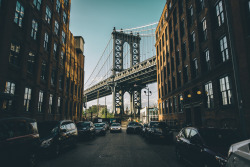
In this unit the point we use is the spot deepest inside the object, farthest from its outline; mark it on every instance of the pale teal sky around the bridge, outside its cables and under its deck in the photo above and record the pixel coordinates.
(94, 21)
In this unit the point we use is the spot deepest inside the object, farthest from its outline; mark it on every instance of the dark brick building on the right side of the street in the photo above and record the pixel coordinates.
(203, 60)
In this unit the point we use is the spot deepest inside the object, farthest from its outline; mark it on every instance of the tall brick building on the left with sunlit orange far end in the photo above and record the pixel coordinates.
(41, 63)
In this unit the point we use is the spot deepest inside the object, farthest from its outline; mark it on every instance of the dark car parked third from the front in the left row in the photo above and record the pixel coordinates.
(86, 129)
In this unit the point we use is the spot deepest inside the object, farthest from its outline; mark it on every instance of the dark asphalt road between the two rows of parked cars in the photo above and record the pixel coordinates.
(116, 150)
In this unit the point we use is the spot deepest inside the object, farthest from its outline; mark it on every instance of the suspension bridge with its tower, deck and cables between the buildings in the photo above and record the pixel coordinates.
(127, 64)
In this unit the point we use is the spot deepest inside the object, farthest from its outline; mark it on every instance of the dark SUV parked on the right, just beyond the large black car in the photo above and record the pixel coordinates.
(158, 130)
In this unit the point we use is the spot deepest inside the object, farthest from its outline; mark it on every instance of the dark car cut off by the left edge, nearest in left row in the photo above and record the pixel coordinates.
(19, 142)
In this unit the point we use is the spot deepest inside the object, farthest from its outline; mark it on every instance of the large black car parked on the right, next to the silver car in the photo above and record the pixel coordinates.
(205, 146)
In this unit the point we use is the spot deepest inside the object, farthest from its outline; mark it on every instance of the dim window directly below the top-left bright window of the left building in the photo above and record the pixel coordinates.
(14, 54)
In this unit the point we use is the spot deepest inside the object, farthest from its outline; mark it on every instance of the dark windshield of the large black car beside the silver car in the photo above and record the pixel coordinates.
(220, 137)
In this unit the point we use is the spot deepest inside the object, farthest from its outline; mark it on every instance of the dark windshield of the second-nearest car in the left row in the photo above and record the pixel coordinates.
(47, 128)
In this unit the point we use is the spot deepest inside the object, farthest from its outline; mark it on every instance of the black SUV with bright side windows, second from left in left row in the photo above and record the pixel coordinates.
(55, 135)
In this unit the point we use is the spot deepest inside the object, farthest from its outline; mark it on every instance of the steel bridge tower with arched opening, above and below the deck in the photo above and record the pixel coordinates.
(119, 38)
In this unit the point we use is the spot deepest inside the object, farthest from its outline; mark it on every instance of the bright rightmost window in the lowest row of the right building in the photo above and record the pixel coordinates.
(225, 89)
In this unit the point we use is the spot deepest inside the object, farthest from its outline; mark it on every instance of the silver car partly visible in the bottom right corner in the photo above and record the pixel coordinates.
(239, 154)
